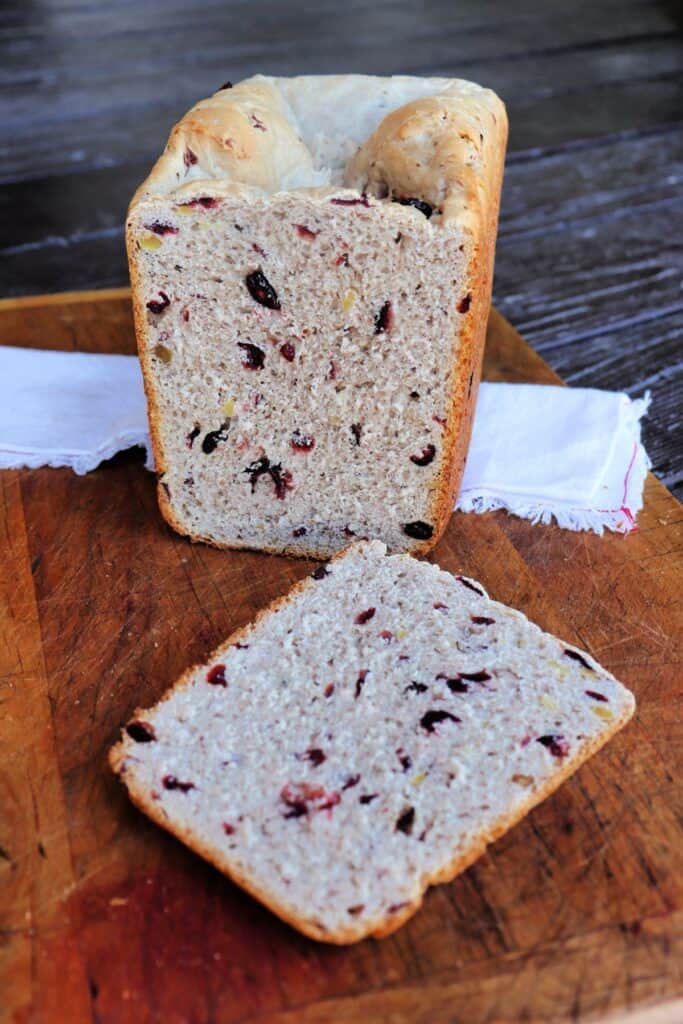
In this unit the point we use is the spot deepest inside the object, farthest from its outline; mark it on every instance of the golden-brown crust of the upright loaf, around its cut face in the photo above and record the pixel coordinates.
(465, 195)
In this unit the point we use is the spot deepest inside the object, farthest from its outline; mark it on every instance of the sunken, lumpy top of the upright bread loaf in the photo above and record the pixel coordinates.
(434, 140)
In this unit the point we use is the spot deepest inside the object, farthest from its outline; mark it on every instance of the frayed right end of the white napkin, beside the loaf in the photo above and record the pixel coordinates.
(570, 454)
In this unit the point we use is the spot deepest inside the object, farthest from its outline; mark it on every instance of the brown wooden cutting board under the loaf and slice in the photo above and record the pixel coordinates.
(573, 916)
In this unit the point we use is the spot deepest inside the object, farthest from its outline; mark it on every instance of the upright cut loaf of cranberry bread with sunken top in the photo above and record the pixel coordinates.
(312, 266)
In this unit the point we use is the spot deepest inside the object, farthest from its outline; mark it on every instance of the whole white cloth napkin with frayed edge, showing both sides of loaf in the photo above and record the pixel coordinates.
(542, 453)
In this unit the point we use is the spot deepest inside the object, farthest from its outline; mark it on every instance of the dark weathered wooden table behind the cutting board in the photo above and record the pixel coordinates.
(590, 255)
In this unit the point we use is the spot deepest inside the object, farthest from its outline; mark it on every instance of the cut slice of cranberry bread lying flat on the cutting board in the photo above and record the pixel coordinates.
(336, 782)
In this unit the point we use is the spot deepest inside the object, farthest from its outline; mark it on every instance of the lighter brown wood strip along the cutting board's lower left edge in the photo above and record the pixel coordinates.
(35, 845)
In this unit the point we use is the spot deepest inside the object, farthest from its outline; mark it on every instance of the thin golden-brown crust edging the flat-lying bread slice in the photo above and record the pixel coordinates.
(382, 926)
